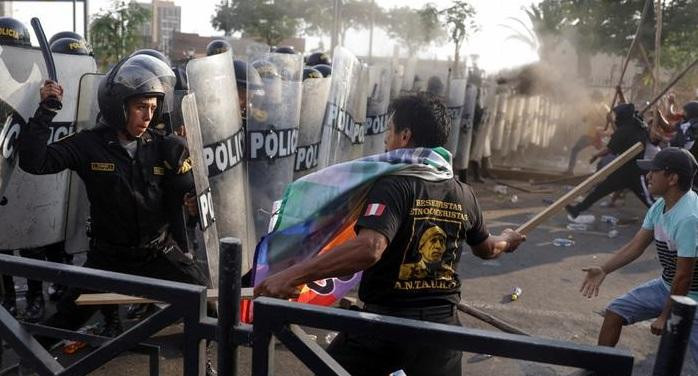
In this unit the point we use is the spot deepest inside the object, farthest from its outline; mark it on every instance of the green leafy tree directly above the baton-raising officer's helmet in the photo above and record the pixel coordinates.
(114, 33)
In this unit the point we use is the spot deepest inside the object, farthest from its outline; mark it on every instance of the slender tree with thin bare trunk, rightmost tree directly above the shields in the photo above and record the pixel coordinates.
(458, 19)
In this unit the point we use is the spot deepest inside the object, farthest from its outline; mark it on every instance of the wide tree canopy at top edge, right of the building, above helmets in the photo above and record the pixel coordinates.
(265, 20)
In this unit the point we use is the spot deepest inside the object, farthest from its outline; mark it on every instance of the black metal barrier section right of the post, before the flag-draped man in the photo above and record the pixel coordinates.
(280, 319)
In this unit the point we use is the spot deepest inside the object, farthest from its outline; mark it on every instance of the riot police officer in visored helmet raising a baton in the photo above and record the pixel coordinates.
(133, 175)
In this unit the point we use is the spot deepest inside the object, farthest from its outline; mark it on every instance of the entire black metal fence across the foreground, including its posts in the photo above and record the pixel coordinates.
(282, 319)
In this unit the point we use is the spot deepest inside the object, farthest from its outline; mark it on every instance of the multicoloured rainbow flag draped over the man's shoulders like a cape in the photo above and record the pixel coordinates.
(319, 211)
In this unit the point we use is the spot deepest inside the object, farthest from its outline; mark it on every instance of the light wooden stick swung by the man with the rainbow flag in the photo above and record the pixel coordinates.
(581, 188)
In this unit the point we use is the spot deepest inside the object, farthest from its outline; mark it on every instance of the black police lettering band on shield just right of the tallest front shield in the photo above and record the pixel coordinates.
(272, 144)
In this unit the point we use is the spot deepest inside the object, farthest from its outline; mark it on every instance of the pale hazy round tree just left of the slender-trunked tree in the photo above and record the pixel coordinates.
(413, 28)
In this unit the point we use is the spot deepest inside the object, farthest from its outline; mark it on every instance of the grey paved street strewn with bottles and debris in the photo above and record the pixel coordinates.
(550, 305)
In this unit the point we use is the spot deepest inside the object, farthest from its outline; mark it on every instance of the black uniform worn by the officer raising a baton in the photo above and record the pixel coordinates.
(132, 198)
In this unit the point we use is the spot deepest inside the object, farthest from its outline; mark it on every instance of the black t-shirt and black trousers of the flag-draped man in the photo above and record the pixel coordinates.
(426, 224)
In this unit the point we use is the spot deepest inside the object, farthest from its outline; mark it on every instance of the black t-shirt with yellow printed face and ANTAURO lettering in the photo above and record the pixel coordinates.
(425, 223)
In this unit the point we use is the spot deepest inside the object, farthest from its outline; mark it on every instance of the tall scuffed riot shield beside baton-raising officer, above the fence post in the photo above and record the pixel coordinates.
(212, 80)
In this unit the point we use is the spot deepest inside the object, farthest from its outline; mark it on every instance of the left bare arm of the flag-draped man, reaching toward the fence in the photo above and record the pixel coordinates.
(350, 257)
